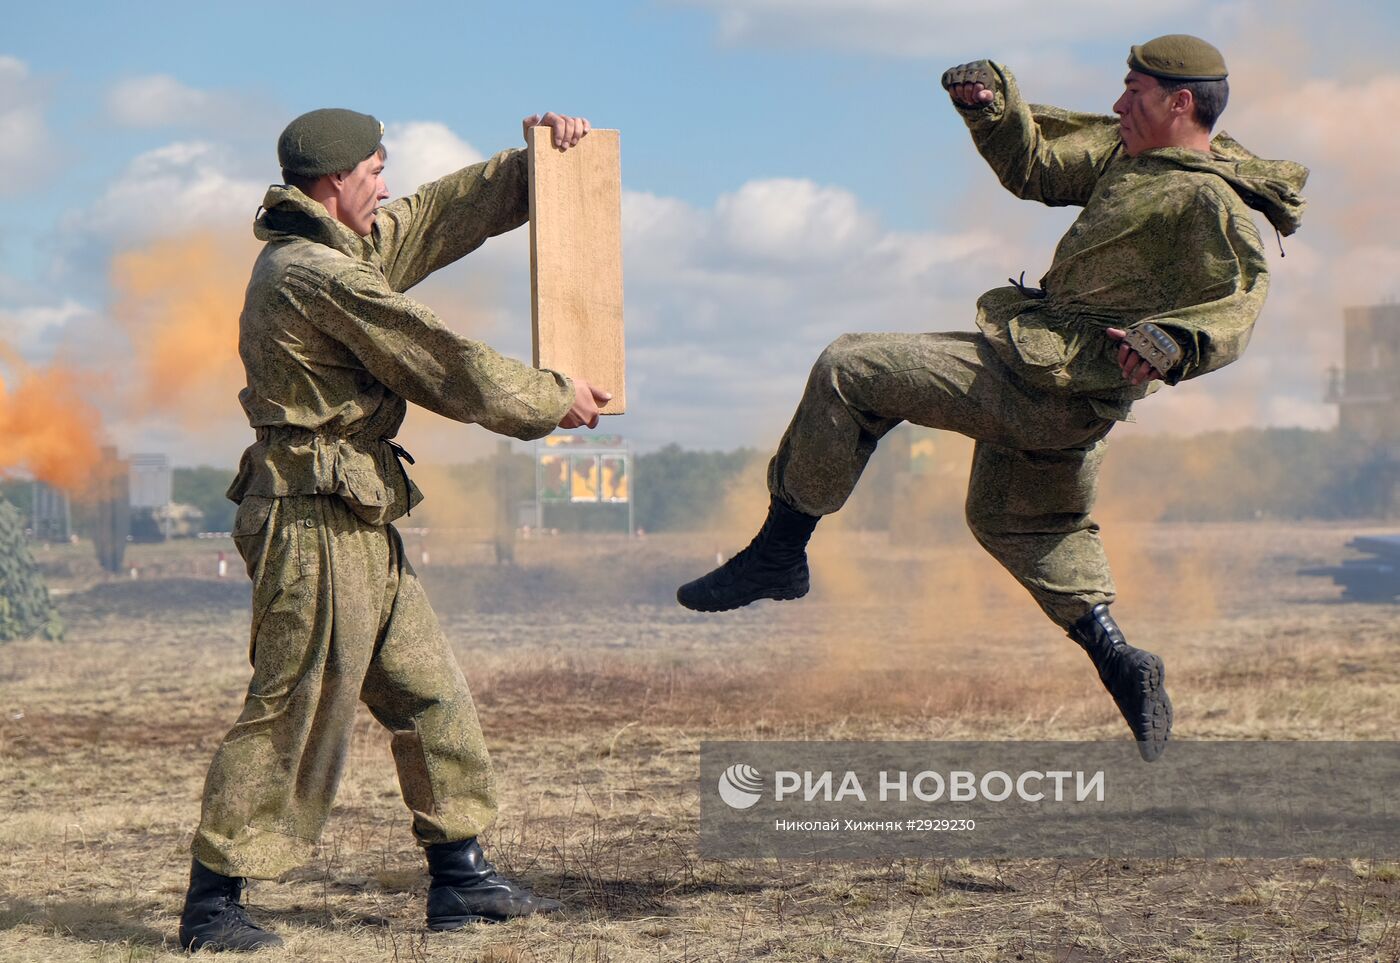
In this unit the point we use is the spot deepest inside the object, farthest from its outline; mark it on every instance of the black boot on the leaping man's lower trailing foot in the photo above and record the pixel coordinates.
(1133, 677)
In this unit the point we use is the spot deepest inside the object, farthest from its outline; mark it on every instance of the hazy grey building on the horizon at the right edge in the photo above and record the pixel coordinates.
(1367, 388)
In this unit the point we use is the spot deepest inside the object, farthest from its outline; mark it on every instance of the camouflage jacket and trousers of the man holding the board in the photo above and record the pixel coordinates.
(334, 351)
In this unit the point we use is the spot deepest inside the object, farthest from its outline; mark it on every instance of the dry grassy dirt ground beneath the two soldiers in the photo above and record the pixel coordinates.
(596, 694)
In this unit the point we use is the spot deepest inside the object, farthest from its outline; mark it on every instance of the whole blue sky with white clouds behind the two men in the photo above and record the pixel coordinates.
(792, 173)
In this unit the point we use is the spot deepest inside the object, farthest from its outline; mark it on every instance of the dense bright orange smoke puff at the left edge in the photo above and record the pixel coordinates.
(47, 425)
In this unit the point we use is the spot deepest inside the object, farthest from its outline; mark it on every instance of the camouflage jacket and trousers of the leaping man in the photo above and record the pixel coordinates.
(1164, 237)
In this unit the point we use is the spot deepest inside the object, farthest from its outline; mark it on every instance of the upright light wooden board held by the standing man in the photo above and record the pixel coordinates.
(576, 260)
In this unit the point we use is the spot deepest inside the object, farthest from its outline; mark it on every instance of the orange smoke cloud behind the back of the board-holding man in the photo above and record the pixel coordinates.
(180, 300)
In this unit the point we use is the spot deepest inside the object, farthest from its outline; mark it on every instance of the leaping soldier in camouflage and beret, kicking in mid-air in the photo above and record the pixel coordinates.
(1160, 279)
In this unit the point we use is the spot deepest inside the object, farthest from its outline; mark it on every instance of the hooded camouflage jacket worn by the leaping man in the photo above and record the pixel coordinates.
(1164, 237)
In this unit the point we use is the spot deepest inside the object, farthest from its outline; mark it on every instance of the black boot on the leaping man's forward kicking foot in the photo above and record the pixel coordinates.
(772, 568)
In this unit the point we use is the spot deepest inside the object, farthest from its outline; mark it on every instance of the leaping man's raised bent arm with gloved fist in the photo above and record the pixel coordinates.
(1038, 153)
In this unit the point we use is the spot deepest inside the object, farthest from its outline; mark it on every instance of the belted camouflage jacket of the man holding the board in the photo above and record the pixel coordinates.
(334, 349)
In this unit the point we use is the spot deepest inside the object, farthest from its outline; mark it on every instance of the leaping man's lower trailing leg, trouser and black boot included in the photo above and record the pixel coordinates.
(1031, 512)
